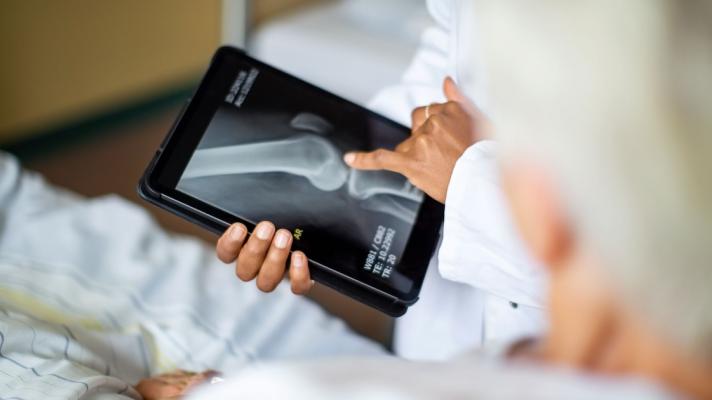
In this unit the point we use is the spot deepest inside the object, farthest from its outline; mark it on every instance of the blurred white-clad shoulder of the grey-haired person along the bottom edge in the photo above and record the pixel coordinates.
(391, 378)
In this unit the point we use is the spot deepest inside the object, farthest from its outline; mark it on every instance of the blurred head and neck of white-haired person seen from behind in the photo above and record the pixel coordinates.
(604, 112)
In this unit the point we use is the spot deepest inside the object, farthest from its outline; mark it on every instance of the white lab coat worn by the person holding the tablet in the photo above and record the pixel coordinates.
(482, 285)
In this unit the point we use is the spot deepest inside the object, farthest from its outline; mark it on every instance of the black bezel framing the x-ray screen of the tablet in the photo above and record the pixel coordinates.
(179, 145)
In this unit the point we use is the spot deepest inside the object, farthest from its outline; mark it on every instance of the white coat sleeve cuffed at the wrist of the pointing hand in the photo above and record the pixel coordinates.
(480, 245)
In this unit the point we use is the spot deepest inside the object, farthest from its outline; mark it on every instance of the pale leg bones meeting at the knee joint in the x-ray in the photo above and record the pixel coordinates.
(314, 158)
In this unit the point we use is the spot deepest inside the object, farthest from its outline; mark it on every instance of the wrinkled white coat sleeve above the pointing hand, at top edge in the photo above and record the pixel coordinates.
(421, 83)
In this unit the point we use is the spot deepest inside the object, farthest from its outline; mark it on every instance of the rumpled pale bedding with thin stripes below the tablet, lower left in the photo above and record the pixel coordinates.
(94, 296)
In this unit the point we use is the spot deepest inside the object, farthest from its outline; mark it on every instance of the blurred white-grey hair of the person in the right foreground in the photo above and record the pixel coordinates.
(615, 97)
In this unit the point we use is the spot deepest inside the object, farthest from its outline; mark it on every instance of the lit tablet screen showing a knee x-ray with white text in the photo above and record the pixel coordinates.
(272, 150)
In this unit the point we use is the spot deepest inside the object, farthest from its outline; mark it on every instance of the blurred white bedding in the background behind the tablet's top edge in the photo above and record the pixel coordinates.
(350, 47)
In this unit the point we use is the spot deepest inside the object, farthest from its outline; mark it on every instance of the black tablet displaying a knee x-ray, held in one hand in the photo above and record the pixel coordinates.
(255, 143)
